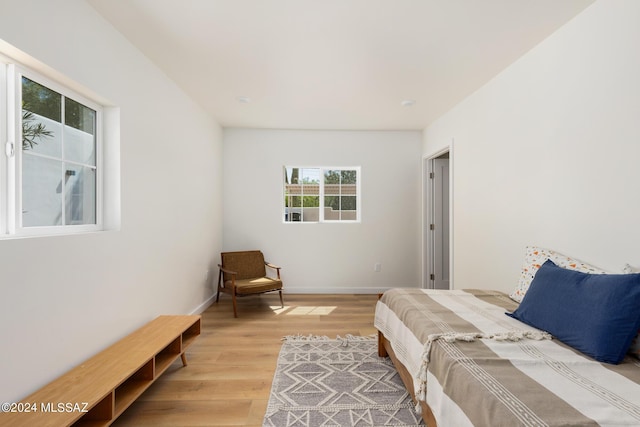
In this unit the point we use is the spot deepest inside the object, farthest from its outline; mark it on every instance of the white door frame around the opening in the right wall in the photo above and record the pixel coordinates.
(428, 215)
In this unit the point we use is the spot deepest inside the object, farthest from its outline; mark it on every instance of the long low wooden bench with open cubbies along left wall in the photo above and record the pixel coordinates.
(96, 392)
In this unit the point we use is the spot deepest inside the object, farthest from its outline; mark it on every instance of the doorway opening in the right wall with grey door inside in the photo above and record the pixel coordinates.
(437, 227)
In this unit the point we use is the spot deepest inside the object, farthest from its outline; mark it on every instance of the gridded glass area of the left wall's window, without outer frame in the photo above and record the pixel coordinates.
(58, 172)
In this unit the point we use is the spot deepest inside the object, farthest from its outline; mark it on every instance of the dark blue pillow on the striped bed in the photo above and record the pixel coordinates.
(597, 314)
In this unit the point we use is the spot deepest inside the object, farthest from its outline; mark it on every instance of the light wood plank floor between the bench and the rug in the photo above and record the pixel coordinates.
(231, 365)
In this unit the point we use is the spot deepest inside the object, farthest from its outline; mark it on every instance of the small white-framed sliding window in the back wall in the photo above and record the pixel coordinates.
(321, 194)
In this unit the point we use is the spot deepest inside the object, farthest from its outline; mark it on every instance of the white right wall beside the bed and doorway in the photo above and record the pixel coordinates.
(548, 152)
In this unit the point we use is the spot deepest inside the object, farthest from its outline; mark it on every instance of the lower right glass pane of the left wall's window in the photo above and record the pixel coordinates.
(80, 191)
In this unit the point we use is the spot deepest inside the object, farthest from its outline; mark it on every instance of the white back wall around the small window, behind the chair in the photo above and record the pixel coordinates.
(324, 257)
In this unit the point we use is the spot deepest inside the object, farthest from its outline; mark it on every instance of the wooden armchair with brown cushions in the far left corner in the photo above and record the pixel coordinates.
(244, 273)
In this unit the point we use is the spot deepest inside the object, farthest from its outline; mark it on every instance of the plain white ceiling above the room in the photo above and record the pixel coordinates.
(334, 64)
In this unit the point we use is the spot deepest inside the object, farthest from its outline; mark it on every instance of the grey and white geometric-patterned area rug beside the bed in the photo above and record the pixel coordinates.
(341, 382)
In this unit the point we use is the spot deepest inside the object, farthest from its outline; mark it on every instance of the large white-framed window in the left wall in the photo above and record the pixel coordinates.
(52, 173)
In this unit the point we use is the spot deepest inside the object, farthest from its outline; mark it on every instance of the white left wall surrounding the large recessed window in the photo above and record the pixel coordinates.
(65, 298)
